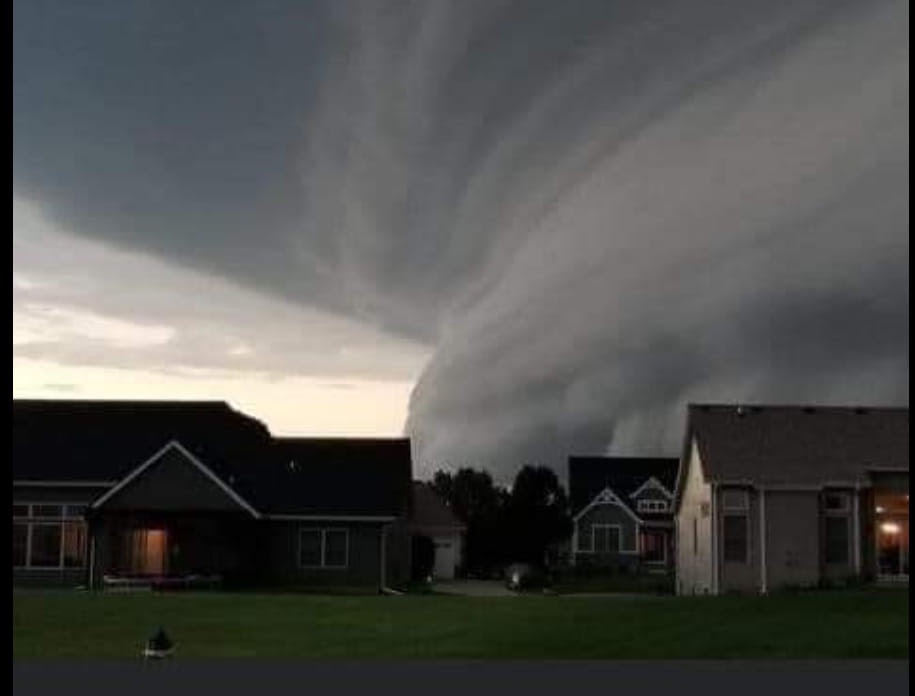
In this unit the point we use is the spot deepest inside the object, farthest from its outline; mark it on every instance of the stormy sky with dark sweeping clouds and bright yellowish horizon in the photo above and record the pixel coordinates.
(512, 230)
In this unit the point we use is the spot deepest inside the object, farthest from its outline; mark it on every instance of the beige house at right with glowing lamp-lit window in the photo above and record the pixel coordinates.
(787, 496)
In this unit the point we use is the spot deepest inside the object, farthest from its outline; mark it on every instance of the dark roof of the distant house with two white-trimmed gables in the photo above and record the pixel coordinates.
(588, 476)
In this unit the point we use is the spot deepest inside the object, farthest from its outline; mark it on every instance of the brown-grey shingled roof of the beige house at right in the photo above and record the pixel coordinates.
(797, 445)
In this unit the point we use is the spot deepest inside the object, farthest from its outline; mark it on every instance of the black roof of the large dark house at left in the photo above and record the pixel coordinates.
(107, 440)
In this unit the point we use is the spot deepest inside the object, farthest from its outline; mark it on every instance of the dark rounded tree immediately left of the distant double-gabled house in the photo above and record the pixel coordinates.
(537, 514)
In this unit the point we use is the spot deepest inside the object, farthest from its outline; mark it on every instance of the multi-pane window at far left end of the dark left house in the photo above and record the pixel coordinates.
(48, 536)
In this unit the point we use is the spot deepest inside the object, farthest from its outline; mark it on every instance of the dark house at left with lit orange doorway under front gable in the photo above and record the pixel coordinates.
(113, 493)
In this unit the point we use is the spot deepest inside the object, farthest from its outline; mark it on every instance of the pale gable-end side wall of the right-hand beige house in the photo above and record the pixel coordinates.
(694, 560)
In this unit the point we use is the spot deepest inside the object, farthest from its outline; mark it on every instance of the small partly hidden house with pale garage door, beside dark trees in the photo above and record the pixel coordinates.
(433, 518)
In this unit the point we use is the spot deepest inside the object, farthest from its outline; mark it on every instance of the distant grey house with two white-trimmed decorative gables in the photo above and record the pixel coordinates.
(621, 511)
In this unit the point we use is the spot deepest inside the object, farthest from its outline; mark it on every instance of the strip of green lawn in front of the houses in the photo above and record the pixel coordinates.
(836, 624)
